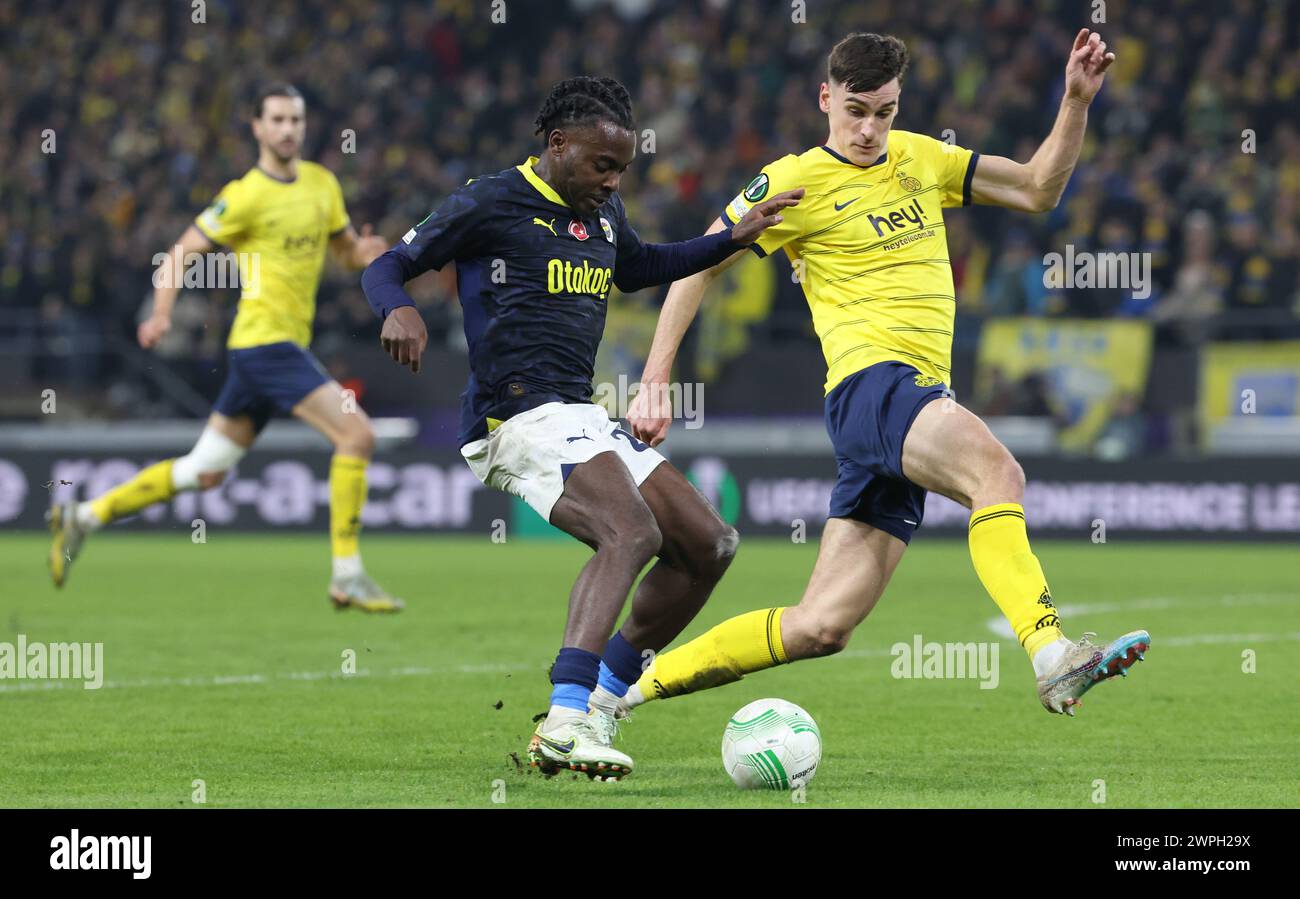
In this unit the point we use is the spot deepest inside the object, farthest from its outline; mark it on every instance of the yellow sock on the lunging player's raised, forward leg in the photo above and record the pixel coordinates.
(1012, 575)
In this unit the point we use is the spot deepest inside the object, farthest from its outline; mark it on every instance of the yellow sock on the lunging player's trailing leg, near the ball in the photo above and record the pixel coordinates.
(736, 648)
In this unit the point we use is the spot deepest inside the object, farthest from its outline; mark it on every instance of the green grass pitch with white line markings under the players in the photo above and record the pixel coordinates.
(223, 663)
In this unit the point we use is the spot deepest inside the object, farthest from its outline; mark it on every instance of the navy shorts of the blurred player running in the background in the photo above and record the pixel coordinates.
(262, 380)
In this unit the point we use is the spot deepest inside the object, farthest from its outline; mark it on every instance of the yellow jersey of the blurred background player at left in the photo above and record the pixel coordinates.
(280, 231)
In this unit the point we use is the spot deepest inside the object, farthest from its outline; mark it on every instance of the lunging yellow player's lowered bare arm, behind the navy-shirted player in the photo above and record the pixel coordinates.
(651, 412)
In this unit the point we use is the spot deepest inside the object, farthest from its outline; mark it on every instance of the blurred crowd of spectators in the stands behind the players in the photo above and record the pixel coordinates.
(124, 119)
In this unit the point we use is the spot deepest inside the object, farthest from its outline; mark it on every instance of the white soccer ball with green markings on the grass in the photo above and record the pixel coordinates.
(772, 745)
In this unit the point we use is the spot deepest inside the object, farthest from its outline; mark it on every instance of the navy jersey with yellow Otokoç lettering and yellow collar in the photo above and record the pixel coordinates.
(534, 280)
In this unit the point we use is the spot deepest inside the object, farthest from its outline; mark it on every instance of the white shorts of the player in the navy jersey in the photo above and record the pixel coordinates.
(531, 454)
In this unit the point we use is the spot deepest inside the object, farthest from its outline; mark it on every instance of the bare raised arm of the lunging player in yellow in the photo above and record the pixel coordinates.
(1038, 185)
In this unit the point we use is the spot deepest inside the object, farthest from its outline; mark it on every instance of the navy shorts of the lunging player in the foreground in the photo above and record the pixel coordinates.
(868, 416)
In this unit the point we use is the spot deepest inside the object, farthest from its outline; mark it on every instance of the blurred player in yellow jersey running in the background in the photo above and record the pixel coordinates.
(279, 218)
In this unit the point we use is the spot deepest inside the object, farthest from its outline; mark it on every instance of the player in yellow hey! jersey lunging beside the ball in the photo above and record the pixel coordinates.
(869, 246)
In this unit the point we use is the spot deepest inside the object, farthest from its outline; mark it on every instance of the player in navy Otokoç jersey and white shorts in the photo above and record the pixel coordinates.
(539, 249)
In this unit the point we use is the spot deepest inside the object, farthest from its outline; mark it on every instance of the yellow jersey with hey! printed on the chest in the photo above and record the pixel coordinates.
(869, 247)
